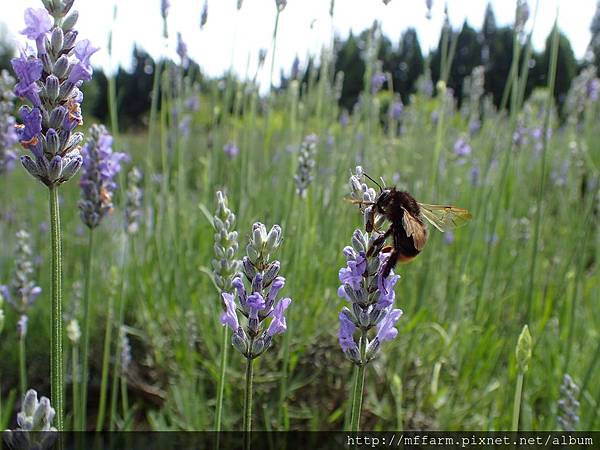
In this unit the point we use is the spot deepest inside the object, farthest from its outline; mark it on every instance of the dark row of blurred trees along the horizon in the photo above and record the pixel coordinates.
(491, 47)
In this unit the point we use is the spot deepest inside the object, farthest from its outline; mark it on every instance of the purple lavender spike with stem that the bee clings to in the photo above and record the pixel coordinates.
(371, 297)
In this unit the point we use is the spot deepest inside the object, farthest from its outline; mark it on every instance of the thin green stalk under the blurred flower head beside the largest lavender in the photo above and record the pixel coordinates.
(86, 332)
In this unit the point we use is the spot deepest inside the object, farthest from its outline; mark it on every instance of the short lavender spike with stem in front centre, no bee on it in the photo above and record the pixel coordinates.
(255, 300)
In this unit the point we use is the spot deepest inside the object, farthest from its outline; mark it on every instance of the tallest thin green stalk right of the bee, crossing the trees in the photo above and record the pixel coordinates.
(540, 196)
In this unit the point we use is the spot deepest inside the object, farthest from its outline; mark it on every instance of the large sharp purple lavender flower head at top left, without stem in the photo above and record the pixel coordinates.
(54, 72)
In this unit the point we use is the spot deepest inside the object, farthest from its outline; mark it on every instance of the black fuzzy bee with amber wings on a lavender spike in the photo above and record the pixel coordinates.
(408, 223)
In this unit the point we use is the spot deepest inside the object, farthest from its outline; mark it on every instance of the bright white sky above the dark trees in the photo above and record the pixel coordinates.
(234, 38)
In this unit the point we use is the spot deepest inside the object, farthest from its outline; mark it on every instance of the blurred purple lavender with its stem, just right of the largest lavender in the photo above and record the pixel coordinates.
(100, 167)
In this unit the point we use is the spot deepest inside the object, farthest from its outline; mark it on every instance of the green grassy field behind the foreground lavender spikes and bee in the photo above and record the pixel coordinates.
(529, 256)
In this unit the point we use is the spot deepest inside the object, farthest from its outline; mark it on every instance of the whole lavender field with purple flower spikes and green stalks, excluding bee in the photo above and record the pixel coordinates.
(214, 266)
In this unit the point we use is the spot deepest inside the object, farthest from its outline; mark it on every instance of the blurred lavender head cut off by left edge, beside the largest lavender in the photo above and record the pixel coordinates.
(8, 134)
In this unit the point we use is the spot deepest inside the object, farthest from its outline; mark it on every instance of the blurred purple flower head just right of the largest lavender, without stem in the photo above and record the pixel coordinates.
(97, 183)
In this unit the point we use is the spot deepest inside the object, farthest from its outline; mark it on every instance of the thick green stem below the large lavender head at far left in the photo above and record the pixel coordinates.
(56, 345)
